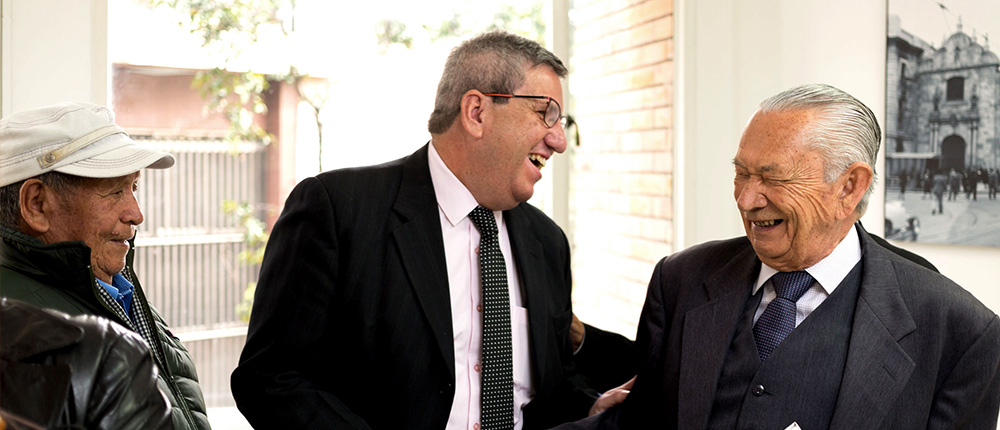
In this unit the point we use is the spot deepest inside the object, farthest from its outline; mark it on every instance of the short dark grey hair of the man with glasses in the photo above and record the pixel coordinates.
(493, 62)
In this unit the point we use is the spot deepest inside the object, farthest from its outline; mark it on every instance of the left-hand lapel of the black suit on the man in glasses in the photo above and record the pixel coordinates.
(421, 248)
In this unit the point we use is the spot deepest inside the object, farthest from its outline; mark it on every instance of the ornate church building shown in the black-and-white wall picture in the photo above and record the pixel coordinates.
(942, 104)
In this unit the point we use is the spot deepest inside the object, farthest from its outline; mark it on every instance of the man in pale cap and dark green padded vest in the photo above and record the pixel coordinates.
(68, 210)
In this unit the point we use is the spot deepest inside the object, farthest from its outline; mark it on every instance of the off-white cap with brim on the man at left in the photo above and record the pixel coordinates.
(75, 138)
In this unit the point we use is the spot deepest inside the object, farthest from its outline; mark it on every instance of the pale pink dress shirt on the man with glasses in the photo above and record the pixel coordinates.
(461, 246)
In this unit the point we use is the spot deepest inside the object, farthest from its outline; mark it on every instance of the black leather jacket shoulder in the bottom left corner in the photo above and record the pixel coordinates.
(79, 372)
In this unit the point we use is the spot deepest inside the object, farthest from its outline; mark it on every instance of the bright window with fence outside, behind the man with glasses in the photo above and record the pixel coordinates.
(190, 260)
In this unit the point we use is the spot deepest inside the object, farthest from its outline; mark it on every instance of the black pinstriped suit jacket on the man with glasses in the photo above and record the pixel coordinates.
(351, 325)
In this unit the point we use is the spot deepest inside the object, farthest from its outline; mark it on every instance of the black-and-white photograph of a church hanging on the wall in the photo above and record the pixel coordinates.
(942, 125)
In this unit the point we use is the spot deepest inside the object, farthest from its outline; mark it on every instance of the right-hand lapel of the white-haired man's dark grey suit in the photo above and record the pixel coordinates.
(877, 367)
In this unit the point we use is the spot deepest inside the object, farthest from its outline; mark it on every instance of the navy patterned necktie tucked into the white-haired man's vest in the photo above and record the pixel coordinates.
(778, 319)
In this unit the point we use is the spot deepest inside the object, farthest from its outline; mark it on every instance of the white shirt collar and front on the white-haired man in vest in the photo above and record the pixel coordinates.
(828, 273)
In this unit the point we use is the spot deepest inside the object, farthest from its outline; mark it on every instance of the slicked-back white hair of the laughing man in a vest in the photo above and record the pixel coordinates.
(846, 133)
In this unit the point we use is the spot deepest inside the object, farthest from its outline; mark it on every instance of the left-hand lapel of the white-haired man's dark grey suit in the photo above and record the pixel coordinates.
(708, 332)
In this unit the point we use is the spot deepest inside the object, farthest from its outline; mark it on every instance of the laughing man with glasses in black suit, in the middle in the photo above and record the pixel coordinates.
(368, 311)
